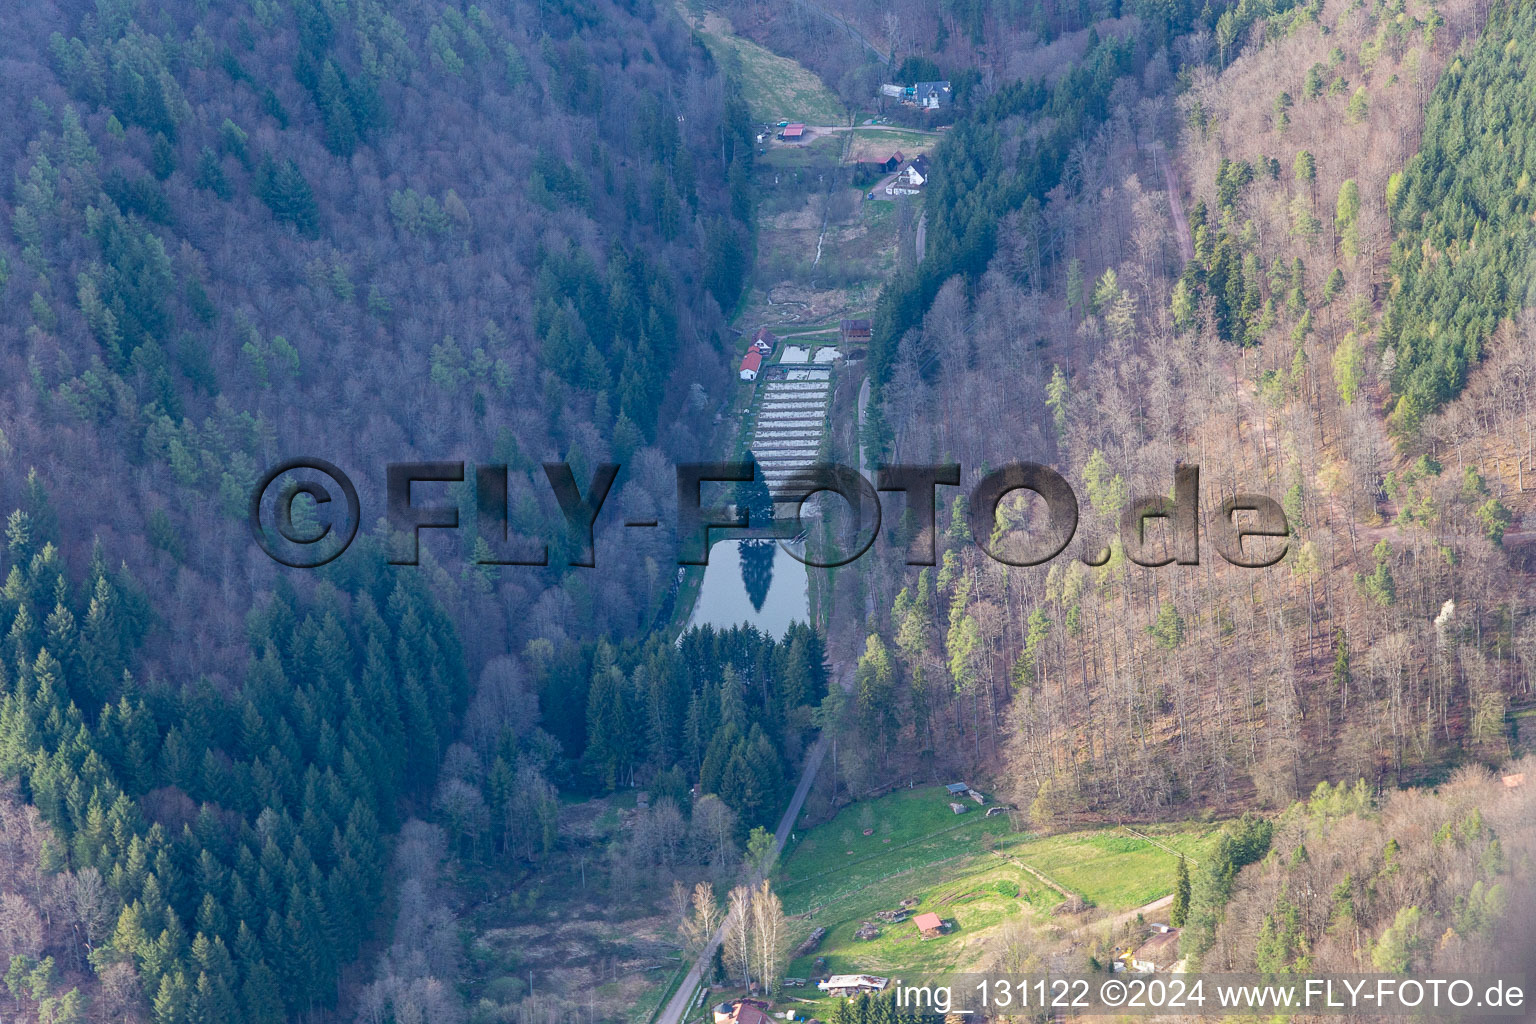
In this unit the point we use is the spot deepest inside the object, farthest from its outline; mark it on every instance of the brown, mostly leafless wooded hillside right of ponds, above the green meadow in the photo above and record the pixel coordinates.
(1105, 337)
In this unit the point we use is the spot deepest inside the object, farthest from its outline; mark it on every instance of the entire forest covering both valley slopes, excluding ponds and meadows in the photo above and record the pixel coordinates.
(1288, 242)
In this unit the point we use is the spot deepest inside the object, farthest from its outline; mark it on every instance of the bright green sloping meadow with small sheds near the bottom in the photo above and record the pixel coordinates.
(964, 868)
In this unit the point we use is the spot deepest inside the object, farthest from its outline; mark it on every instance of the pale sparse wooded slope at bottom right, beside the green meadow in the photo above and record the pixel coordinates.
(1411, 884)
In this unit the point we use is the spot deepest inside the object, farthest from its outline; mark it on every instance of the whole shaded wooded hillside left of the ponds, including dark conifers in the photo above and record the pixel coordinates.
(362, 233)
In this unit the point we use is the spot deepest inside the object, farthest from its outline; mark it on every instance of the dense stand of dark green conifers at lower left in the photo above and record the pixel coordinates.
(230, 847)
